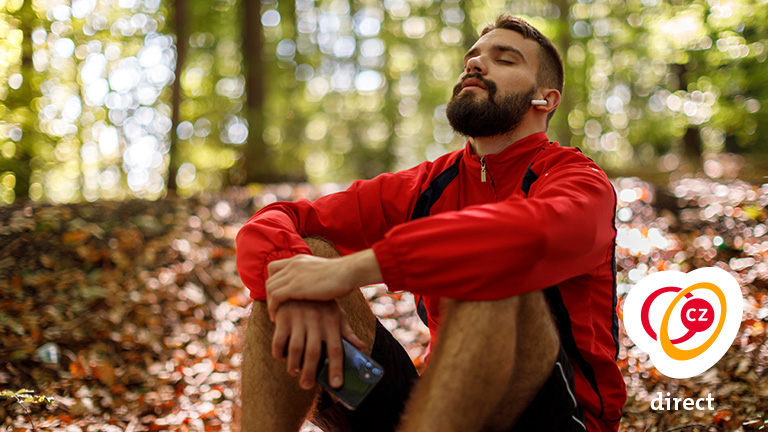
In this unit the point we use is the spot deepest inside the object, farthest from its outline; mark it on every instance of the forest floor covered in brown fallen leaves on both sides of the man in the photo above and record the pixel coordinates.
(128, 314)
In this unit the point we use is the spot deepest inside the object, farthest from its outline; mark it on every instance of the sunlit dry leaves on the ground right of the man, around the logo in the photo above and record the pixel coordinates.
(698, 223)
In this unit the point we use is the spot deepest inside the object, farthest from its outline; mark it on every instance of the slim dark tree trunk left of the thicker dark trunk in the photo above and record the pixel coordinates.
(180, 27)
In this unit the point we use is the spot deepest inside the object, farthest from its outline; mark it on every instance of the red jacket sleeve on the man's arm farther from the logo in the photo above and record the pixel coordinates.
(353, 220)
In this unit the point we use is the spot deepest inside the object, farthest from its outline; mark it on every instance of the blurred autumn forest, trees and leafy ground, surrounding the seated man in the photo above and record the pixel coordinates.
(136, 136)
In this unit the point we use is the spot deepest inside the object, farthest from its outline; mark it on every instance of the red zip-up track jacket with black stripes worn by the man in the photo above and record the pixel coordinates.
(543, 218)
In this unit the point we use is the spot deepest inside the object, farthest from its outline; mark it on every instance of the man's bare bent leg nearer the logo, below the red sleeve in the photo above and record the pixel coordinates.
(490, 361)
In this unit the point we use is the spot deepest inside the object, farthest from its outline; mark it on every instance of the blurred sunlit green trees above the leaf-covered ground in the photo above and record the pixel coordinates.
(350, 88)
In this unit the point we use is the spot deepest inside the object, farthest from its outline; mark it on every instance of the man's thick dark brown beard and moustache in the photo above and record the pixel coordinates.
(474, 116)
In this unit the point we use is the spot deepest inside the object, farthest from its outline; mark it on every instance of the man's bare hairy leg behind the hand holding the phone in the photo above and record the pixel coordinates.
(271, 399)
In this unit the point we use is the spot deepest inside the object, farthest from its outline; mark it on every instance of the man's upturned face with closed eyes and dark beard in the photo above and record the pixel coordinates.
(495, 90)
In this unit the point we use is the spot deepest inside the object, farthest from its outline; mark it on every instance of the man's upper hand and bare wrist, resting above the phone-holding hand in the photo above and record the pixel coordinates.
(306, 277)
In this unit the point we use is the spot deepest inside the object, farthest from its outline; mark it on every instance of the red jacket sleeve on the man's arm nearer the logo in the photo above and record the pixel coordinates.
(492, 251)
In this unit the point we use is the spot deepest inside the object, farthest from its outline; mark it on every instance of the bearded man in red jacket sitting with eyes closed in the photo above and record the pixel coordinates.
(506, 244)
